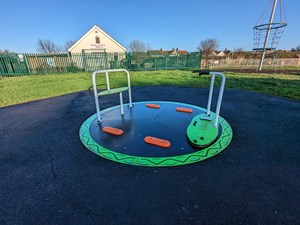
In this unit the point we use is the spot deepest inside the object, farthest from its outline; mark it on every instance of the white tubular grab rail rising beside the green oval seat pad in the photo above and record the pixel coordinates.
(212, 81)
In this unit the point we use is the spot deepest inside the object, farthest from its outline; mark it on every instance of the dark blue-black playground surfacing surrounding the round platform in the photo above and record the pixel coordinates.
(49, 177)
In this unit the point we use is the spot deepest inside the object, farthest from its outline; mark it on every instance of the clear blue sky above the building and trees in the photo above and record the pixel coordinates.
(163, 24)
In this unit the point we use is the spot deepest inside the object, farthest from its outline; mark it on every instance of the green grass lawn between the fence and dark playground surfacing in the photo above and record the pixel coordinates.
(16, 90)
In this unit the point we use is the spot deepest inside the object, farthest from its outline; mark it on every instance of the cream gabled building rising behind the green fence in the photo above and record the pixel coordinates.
(96, 40)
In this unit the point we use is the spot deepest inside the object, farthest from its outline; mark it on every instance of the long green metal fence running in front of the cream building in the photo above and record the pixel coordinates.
(13, 64)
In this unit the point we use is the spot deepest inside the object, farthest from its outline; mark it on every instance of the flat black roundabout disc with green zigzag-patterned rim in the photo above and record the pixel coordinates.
(140, 122)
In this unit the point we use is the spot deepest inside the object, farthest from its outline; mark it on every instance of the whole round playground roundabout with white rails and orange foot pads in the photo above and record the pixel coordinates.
(155, 133)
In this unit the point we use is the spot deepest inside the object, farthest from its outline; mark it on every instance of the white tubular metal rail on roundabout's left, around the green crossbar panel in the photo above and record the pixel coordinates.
(108, 88)
